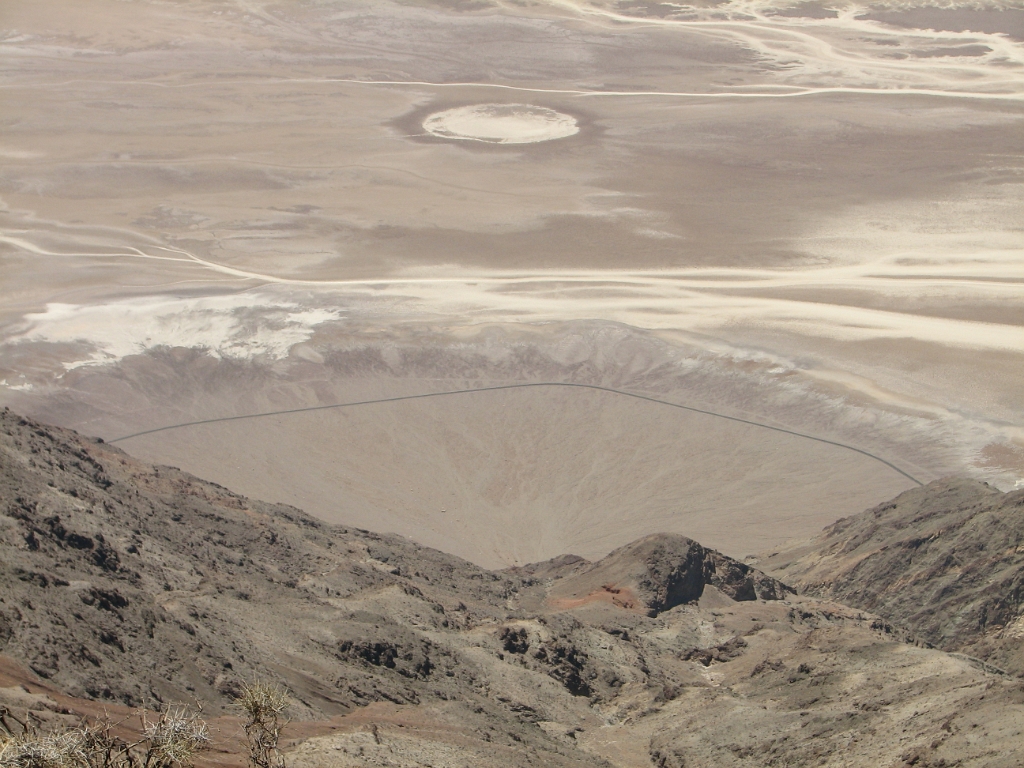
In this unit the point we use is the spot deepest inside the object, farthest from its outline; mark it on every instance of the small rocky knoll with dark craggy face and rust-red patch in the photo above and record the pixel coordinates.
(661, 572)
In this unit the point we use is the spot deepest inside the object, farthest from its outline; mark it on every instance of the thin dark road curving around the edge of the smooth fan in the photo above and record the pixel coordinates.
(522, 387)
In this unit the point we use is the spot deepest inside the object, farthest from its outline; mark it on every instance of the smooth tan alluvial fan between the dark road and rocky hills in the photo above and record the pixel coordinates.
(505, 479)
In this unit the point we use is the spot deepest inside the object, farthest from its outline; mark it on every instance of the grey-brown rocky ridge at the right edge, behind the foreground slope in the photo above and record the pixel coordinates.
(947, 562)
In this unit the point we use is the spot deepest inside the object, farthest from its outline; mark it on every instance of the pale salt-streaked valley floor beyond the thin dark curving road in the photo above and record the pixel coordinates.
(802, 217)
